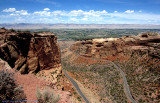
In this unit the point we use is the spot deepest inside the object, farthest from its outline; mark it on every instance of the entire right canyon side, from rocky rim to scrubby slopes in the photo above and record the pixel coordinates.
(137, 56)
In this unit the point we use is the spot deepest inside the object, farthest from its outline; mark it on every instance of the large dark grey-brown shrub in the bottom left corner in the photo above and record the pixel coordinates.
(10, 91)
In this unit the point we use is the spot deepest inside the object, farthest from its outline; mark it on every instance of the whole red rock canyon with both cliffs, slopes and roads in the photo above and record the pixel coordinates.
(98, 65)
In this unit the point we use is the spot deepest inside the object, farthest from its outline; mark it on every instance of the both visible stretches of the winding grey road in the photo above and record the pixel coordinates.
(125, 83)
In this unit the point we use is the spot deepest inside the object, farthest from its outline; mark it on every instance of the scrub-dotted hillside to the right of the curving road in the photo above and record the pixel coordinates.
(142, 72)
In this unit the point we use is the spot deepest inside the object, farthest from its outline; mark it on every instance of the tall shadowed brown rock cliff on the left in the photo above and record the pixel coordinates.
(30, 52)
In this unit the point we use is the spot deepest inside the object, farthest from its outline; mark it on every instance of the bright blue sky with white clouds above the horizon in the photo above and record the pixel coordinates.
(80, 11)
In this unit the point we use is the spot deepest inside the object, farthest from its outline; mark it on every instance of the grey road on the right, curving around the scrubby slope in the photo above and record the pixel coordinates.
(125, 83)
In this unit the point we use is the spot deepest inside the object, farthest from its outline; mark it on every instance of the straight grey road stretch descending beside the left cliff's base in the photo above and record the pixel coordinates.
(76, 86)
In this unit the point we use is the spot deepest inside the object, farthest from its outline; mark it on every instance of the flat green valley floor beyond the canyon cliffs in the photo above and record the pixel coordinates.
(85, 34)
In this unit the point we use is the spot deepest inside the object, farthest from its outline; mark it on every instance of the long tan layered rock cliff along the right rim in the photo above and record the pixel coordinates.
(103, 48)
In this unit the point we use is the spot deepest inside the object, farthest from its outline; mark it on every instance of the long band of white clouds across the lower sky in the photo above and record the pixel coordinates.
(79, 16)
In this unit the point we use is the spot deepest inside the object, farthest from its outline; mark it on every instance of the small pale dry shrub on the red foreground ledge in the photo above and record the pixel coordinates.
(47, 96)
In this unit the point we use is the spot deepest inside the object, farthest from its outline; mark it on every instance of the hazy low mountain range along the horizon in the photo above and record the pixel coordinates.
(79, 26)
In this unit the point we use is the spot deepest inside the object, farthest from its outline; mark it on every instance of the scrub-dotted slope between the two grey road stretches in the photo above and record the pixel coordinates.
(102, 78)
